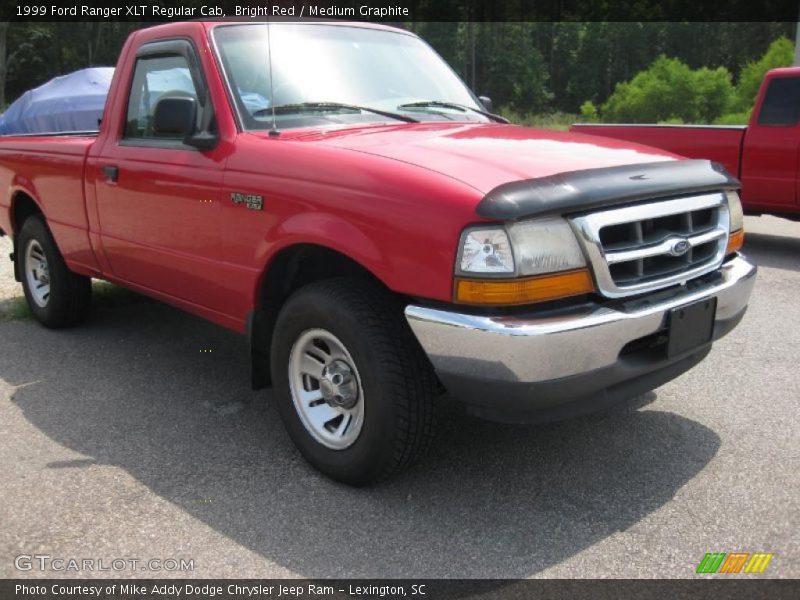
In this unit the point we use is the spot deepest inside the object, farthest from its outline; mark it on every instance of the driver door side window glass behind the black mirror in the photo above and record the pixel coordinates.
(153, 78)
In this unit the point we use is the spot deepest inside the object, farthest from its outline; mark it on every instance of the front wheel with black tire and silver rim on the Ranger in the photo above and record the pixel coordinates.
(393, 400)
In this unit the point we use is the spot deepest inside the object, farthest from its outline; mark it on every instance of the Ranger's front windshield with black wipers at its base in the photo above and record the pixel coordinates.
(316, 66)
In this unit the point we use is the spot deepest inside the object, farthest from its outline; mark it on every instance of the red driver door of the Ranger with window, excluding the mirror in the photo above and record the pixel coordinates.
(158, 200)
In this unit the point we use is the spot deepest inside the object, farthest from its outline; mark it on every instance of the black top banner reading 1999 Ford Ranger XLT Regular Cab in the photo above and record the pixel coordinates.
(402, 10)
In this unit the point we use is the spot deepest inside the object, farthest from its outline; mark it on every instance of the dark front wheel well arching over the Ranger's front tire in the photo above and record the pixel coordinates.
(289, 270)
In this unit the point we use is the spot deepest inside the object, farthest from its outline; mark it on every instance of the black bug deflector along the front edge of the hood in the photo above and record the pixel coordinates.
(591, 188)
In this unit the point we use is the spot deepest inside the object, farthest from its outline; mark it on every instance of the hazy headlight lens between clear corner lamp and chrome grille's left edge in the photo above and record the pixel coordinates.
(545, 246)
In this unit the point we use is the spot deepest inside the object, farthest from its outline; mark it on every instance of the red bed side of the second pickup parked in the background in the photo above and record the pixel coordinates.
(720, 143)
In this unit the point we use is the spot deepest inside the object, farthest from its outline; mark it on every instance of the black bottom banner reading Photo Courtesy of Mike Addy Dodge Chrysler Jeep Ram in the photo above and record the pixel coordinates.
(438, 589)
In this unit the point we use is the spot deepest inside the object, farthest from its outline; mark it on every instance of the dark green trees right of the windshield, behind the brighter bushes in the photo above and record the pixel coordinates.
(545, 67)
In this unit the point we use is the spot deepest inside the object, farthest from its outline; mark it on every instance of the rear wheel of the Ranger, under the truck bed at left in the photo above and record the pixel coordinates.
(56, 296)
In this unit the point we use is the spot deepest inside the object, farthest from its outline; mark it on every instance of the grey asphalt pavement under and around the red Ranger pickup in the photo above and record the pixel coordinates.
(123, 438)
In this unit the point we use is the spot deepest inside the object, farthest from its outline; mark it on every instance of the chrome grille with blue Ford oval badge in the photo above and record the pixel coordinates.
(644, 247)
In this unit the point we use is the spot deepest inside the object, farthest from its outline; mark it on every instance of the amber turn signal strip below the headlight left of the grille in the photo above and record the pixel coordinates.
(523, 291)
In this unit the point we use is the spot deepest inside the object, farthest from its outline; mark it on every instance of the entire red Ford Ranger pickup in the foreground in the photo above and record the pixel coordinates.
(335, 192)
